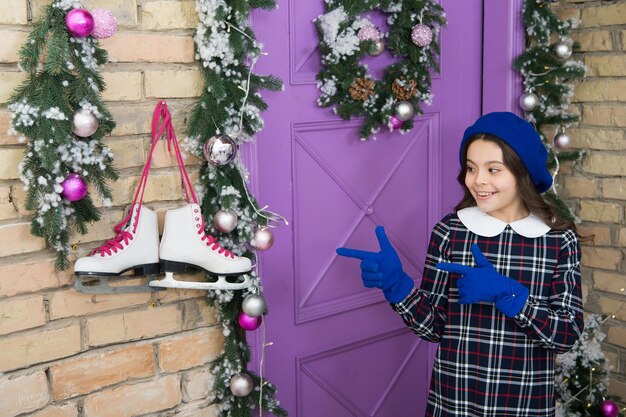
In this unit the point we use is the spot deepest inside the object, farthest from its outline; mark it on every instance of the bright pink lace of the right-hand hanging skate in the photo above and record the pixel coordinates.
(161, 111)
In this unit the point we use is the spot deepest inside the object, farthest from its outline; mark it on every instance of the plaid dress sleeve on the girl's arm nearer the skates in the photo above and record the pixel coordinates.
(424, 310)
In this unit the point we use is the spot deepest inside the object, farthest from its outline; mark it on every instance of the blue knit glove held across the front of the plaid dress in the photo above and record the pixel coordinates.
(484, 283)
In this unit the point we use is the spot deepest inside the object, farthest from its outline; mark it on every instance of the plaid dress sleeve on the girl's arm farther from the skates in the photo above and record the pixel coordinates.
(557, 323)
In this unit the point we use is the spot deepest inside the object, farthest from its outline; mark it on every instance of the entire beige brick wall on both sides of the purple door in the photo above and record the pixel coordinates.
(66, 354)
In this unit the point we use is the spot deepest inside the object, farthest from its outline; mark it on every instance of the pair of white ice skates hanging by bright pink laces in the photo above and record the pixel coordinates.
(184, 246)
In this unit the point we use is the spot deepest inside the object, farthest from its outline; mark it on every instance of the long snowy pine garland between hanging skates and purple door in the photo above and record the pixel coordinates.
(231, 104)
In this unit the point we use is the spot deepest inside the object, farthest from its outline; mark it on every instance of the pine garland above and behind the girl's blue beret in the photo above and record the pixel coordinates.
(551, 79)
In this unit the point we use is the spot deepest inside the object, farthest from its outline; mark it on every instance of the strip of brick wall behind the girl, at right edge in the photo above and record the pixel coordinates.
(596, 188)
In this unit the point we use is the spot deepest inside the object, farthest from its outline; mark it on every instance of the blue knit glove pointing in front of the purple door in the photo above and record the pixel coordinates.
(382, 269)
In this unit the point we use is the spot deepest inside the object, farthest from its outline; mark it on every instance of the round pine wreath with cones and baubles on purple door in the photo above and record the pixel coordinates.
(345, 83)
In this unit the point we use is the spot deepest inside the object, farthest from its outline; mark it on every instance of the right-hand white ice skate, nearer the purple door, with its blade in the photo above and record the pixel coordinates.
(186, 247)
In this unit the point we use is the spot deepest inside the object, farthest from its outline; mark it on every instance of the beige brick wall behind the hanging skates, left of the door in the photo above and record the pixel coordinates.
(66, 354)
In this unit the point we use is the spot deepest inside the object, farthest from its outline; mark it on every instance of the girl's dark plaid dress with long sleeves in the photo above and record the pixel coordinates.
(488, 364)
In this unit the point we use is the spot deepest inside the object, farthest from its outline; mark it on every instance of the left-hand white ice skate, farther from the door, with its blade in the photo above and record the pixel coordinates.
(136, 248)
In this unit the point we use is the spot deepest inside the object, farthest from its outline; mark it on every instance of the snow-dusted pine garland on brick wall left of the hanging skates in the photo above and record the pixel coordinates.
(62, 78)
